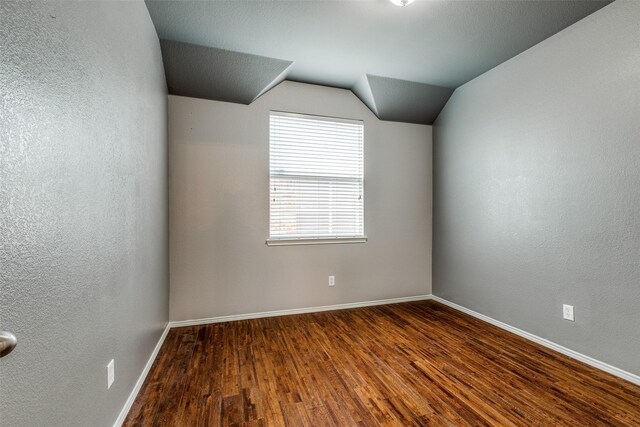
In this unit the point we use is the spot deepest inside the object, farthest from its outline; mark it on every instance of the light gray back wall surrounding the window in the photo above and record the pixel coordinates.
(219, 210)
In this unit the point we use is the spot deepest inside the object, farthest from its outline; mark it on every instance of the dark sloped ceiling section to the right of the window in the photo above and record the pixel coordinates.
(400, 100)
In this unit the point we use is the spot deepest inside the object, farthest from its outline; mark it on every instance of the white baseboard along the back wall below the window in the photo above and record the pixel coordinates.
(220, 319)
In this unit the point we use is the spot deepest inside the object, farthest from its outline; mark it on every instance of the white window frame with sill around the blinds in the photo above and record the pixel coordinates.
(320, 240)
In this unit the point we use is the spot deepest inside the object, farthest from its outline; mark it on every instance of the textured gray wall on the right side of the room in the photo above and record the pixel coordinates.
(536, 189)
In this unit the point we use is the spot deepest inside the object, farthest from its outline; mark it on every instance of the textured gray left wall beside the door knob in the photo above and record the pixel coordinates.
(83, 207)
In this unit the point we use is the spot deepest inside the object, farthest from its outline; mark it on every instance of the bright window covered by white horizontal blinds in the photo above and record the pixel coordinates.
(316, 169)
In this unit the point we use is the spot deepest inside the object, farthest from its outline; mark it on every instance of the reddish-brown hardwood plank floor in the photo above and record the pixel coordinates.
(405, 364)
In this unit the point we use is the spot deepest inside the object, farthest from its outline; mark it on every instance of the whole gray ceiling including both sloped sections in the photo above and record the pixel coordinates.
(403, 62)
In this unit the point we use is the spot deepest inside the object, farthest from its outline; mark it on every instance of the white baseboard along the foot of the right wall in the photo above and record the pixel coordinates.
(635, 379)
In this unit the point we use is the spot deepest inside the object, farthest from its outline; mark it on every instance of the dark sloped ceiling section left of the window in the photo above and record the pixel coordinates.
(218, 74)
